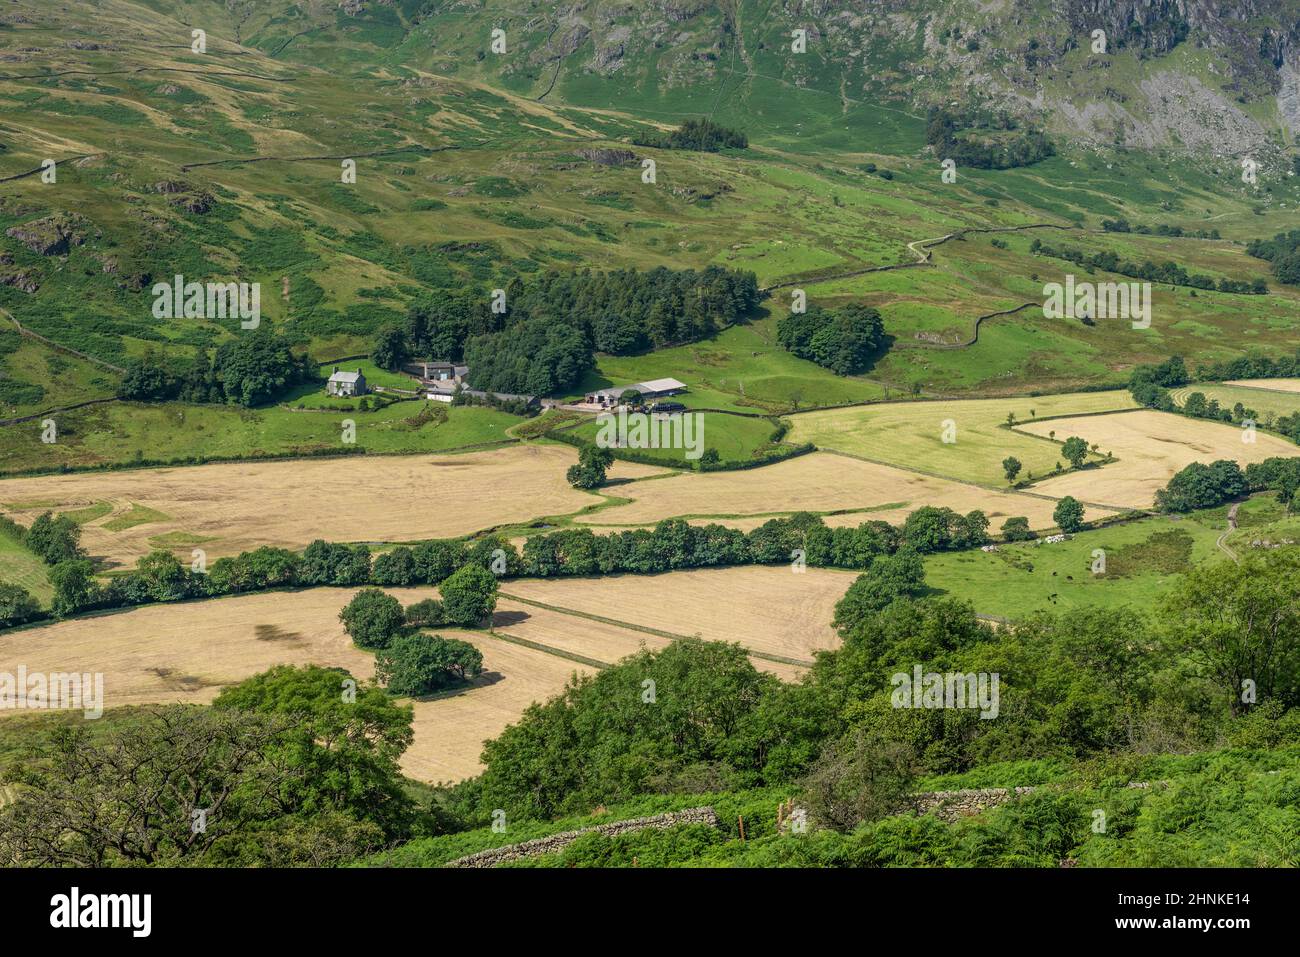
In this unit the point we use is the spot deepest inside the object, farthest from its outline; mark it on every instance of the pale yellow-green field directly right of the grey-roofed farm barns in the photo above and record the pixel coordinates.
(912, 434)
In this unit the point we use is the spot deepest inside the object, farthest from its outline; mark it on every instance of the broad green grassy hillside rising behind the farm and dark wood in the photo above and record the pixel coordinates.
(517, 200)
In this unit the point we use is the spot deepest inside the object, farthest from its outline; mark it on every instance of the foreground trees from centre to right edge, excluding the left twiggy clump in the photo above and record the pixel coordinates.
(1085, 685)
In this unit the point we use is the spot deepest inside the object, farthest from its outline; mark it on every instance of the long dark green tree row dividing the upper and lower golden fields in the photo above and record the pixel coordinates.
(671, 545)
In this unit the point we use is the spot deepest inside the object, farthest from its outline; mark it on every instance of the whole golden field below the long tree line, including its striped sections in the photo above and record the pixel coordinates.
(189, 652)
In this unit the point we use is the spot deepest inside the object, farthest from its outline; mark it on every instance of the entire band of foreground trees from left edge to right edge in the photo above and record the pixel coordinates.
(301, 765)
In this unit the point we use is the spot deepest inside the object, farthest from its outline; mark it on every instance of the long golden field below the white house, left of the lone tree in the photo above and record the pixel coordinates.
(226, 509)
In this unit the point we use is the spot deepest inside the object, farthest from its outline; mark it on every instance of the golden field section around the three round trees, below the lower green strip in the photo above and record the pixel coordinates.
(187, 653)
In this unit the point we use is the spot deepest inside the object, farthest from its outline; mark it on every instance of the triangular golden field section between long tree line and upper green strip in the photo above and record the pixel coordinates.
(770, 610)
